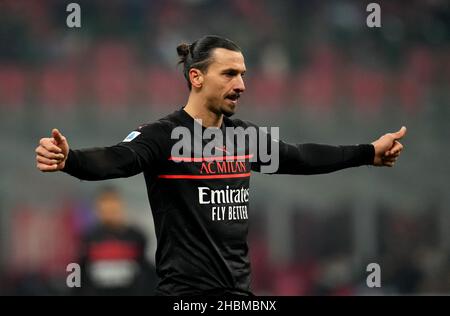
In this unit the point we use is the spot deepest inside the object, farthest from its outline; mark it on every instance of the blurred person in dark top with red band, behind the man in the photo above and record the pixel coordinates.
(112, 258)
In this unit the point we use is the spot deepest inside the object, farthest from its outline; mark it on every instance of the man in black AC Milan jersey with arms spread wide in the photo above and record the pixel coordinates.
(200, 202)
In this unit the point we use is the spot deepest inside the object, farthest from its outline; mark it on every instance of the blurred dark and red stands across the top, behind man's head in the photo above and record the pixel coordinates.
(124, 53)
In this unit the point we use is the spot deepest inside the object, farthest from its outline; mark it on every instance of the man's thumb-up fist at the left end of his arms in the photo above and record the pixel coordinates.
(51, 154)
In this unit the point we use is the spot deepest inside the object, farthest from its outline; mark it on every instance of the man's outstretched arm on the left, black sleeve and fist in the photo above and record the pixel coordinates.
(53, 154)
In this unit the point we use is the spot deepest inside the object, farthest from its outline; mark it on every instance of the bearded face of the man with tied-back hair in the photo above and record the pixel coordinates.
(223, 81)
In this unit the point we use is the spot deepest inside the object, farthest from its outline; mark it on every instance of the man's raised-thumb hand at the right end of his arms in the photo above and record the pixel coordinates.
(388, 148)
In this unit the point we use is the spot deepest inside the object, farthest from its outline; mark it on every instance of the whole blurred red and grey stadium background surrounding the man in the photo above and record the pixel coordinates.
(314, 69)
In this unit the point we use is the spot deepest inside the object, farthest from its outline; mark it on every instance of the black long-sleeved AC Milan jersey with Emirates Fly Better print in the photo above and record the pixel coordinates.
(200, 203)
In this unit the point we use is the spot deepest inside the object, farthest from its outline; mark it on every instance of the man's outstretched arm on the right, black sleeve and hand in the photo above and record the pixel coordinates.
(318, 158)
